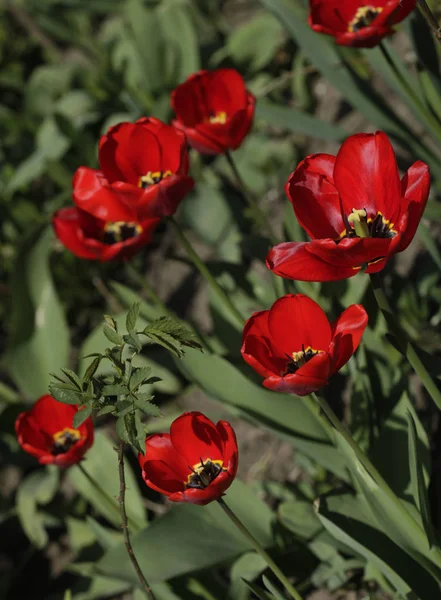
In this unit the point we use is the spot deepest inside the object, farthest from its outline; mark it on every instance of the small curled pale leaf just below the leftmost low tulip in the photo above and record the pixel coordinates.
(37, 488)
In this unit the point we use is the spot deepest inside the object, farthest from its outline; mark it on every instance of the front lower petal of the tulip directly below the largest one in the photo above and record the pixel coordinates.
(310, 378)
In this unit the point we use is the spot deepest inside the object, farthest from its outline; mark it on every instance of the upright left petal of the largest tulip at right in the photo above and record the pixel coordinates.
(316, 202)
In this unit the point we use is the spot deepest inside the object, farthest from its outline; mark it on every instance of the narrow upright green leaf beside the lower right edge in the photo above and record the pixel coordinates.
(418, 482)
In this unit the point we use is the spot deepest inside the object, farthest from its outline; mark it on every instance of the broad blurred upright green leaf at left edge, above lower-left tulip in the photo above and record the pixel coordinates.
(39, 336)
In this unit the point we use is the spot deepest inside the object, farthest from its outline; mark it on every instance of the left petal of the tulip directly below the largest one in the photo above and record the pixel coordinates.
(257, 349)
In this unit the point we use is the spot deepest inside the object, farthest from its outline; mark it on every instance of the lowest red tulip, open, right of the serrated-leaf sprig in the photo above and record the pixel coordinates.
(195, 463)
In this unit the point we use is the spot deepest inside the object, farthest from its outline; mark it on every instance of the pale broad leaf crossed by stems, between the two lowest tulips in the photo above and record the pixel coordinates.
(101, 463)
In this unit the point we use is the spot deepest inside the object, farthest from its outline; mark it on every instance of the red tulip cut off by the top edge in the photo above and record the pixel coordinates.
(361, 23)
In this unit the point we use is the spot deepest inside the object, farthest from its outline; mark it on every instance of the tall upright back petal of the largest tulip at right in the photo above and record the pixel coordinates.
(366, 176)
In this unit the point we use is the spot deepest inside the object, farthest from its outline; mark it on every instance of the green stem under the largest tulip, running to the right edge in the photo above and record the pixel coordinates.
(404, 345)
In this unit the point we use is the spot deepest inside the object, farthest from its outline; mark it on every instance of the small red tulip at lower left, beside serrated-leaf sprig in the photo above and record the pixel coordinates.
(46, 432)
